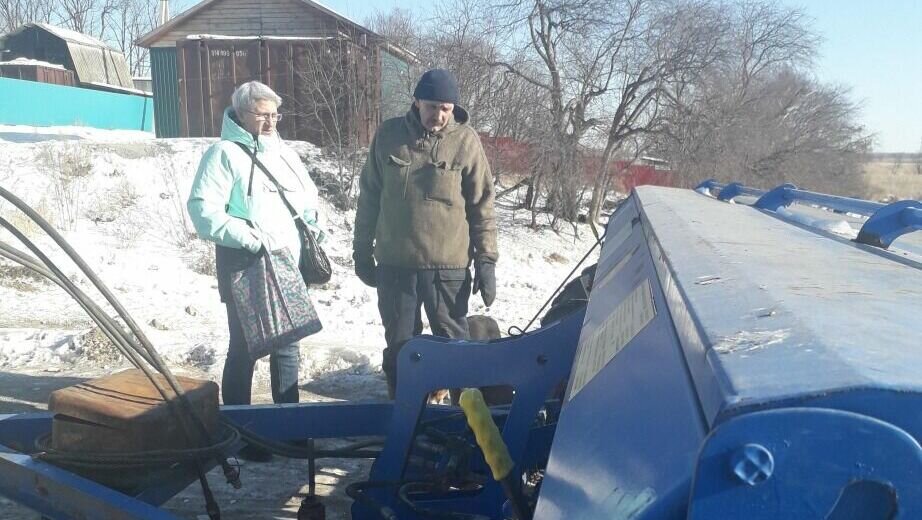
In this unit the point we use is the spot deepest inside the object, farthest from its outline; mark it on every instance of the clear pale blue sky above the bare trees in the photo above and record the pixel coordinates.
(875, 48)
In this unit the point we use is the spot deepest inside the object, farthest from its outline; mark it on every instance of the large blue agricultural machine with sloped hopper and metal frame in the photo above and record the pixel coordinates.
(720, 361)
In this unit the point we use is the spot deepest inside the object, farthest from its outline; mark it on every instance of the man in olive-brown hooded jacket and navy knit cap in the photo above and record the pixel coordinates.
(425, 212)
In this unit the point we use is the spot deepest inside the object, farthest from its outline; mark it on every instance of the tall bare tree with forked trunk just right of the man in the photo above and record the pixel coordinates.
(564, 51)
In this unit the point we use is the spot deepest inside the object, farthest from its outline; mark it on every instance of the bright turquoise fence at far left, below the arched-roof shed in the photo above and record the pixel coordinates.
(43, 104)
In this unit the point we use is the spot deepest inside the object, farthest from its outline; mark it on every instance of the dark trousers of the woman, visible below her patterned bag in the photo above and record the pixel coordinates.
(237, 381)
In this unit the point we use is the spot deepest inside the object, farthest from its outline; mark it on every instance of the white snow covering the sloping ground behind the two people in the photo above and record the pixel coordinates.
(130, 229)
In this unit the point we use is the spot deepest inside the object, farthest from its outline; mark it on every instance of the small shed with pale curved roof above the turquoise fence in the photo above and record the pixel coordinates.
(92, 62)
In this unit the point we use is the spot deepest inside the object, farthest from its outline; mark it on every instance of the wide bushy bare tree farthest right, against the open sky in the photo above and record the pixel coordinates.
(754, 115)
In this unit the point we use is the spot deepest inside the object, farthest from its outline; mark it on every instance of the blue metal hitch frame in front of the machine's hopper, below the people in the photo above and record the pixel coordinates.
(532, 364)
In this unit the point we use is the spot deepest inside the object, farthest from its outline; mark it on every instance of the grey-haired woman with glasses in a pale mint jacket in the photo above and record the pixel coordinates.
(237, 206)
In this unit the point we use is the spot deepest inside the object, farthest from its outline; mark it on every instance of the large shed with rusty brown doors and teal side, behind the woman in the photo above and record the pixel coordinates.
(327, 68)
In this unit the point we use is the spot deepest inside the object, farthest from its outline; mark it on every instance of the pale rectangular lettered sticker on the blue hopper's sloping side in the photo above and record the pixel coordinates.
(625, 322)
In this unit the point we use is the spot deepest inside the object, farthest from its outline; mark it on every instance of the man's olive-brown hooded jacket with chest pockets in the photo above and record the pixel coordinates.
(426, 199)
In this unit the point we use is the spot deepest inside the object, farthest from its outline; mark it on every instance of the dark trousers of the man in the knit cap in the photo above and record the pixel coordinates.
(404, 292)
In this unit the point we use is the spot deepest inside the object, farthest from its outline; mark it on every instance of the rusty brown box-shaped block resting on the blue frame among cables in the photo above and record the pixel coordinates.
(124, 412)
